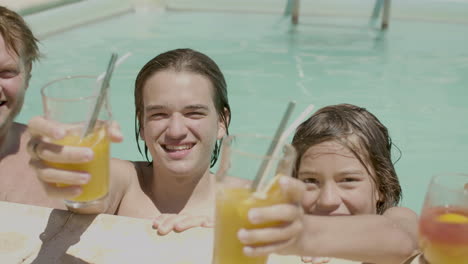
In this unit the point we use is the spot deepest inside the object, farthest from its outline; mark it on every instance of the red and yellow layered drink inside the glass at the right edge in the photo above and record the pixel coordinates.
(443, 235)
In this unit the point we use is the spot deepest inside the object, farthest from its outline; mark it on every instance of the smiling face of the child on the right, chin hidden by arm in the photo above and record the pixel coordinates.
(337, 182)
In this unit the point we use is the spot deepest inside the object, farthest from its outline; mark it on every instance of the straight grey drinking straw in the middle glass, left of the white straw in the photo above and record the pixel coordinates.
(273, 145)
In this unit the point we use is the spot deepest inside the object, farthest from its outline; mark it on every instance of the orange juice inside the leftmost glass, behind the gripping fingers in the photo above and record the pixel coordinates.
(98, 168)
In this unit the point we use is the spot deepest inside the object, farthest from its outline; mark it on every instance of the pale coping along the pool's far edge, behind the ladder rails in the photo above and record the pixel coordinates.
(65, 17)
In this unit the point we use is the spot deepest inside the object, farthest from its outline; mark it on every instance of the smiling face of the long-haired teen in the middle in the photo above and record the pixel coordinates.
(180, 122)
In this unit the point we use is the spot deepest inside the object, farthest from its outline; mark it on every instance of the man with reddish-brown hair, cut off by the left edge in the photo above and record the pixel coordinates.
(18, 50)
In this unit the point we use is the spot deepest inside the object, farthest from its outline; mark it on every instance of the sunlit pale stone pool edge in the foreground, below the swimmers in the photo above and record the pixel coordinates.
(31, 234)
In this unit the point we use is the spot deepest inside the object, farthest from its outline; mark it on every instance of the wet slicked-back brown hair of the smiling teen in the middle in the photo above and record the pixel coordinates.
(187, 60)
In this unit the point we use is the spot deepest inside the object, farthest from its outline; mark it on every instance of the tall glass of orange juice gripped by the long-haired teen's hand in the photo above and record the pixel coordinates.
(70, 101)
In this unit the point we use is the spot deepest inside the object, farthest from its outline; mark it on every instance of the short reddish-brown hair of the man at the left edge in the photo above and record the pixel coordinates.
(18, 37)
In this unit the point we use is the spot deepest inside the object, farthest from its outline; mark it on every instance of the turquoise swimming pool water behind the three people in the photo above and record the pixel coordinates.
(414, 77)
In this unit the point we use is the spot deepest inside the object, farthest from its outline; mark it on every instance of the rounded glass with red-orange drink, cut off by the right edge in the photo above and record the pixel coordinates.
(443, 225)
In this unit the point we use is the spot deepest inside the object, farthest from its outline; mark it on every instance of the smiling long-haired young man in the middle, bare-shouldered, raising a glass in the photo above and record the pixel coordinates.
(182, 113)
